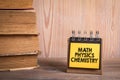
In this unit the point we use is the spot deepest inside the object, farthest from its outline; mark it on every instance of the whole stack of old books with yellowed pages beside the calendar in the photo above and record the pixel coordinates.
(19, 42)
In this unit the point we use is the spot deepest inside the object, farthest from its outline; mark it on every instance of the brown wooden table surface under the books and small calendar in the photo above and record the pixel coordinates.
(55, 69)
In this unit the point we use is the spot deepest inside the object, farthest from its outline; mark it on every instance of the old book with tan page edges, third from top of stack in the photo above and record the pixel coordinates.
(18, 44)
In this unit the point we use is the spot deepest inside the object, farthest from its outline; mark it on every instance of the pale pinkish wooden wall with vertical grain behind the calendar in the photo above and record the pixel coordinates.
(57, 18)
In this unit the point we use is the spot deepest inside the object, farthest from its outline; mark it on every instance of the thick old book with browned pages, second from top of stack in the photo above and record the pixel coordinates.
(18, 22)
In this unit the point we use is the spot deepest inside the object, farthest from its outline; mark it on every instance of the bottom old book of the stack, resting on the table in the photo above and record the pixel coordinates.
(16, 62)
